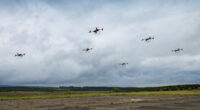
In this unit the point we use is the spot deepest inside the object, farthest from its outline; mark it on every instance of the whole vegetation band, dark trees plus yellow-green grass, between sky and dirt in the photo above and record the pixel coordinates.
(10, 93)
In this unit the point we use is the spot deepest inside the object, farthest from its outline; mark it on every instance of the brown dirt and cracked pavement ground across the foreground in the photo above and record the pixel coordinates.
(141, 102)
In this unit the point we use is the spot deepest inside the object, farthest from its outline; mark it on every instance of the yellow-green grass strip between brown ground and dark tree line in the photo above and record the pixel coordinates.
(14, 96)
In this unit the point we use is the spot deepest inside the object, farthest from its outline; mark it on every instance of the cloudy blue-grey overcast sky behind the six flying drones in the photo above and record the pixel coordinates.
(53, 33)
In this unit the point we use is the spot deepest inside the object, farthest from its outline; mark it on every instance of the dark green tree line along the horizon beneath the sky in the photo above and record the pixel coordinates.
(114, 89)
